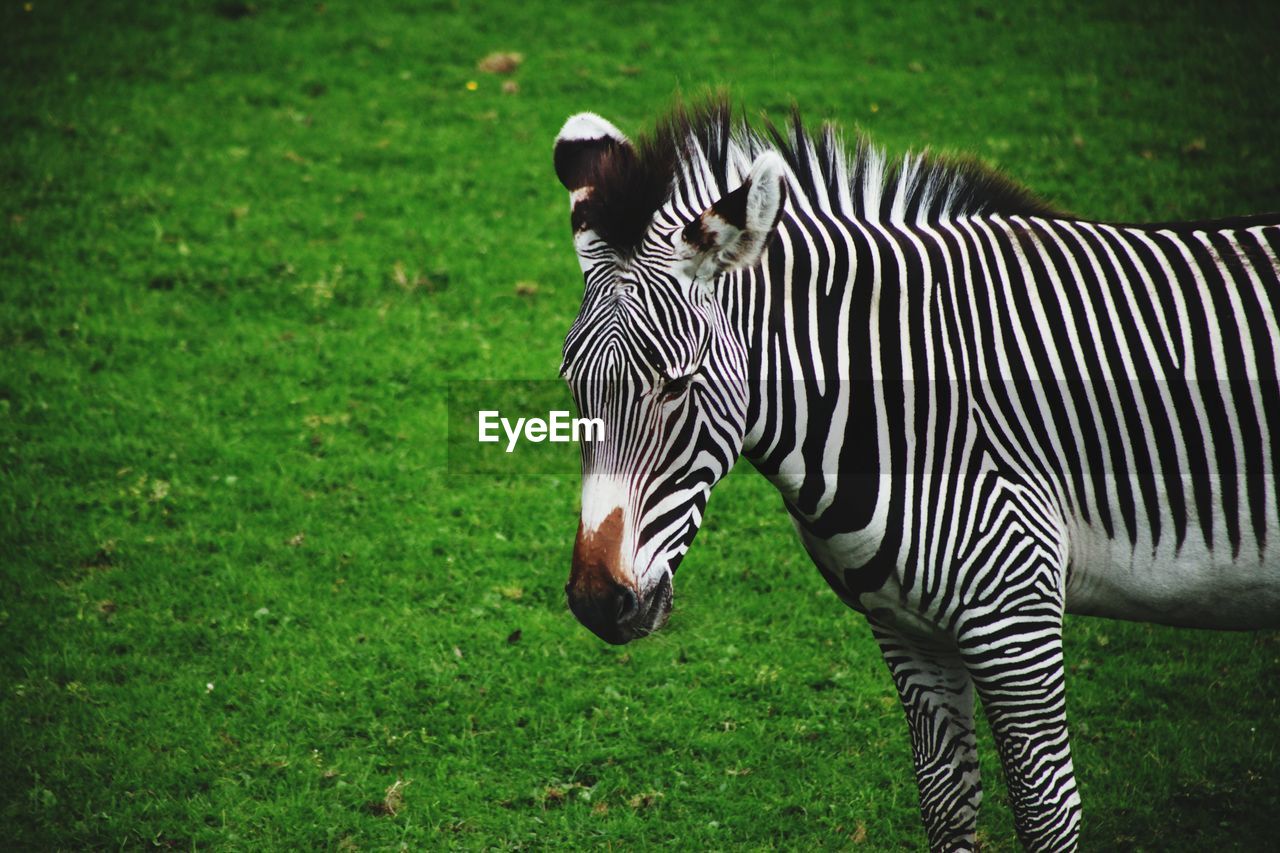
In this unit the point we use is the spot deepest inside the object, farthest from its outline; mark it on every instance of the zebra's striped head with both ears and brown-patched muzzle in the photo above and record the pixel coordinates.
(655, 355)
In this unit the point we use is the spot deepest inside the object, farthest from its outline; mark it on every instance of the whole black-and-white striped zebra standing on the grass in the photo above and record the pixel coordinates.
(980, 412)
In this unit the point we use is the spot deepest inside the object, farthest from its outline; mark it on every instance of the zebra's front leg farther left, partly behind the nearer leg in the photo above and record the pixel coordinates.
(938, 696)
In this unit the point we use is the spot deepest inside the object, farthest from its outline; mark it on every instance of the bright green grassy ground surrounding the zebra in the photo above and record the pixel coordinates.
(244, 249)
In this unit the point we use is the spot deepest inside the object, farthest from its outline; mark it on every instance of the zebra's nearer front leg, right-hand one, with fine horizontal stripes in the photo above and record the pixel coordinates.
(1017, 664)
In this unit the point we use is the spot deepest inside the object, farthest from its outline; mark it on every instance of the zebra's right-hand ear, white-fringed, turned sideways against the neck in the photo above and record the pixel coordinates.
(734, 232)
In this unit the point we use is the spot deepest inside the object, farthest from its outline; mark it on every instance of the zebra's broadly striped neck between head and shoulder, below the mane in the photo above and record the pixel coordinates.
(816, 418)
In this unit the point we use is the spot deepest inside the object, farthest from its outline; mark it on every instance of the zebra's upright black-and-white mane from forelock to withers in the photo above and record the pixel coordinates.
(854, 181)
